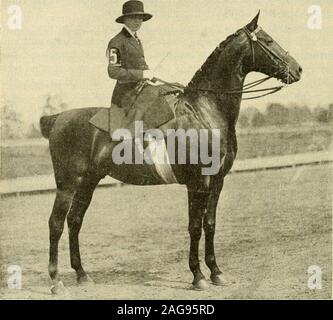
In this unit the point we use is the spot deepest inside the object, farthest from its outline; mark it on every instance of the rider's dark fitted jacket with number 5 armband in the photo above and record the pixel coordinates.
(126, 63)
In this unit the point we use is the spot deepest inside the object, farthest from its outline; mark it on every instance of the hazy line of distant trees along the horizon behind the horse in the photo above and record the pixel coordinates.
(276, 114)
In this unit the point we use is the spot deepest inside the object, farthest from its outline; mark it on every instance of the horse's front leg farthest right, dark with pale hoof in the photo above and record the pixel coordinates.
(209, 228)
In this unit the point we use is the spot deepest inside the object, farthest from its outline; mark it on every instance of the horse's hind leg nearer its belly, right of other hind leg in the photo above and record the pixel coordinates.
(80, 204)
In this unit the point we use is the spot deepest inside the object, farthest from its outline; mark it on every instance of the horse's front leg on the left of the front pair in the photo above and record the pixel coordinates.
(197, 203)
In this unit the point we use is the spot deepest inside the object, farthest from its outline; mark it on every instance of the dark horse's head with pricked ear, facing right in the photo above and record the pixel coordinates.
(265, 55)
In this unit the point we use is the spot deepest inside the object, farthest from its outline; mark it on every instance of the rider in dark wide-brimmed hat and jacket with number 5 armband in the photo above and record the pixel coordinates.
(125, 52)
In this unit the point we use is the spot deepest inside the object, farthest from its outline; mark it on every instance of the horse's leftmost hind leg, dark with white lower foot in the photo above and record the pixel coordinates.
(60, 209)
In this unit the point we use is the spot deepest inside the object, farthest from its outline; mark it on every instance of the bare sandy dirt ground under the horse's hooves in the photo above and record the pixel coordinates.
(271, 226)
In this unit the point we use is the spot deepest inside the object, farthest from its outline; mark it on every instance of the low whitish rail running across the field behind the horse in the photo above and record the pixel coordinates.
(43, 184)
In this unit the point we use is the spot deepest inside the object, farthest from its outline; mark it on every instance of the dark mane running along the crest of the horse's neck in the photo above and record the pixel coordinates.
(210, 62)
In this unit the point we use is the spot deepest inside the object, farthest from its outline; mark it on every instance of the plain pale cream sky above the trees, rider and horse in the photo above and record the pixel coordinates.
(60, 49)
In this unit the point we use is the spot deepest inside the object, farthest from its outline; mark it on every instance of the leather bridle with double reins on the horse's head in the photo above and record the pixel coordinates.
(246, 88)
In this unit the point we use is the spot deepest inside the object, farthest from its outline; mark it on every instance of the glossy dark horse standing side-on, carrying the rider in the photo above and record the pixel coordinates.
(81, 153)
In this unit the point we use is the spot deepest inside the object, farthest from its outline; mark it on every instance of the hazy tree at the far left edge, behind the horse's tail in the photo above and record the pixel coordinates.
(11, 124)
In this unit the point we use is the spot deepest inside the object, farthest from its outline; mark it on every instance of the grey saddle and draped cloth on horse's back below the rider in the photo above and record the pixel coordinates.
(154, 105)
